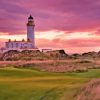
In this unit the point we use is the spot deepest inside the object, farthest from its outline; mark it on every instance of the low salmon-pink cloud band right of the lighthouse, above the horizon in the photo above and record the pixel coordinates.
(74, 45)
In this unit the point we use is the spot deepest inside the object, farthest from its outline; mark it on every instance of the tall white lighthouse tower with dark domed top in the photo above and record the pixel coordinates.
(30, 31)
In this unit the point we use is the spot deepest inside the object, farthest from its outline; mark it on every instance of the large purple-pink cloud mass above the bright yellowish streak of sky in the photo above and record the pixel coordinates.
(63, 15)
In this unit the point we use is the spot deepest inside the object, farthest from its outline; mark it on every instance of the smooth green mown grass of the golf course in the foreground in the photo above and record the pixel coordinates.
(28, 84)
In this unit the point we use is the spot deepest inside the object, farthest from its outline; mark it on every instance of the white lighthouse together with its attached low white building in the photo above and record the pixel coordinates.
(29, 44)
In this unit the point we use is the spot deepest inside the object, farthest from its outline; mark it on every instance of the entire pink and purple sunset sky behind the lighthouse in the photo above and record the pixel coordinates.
(72, 25)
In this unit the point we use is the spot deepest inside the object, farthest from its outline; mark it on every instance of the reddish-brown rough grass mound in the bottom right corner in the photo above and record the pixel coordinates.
(90, 91)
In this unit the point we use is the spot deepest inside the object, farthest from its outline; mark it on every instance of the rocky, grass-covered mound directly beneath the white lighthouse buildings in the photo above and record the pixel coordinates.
(14, 55)
